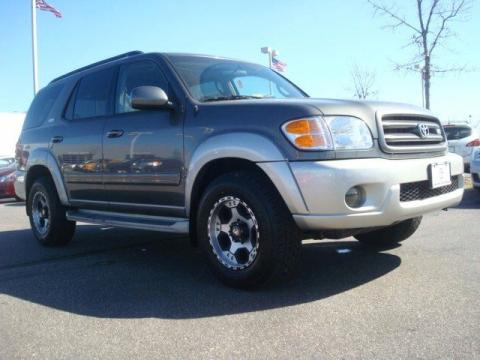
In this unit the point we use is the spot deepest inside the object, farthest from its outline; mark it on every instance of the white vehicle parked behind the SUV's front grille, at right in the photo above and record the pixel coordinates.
(462, 139)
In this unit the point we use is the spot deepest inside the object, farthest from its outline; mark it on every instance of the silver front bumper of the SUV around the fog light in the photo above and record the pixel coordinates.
(324, 184)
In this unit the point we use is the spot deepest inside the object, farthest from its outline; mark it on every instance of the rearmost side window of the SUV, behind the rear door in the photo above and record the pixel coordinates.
(41, 106)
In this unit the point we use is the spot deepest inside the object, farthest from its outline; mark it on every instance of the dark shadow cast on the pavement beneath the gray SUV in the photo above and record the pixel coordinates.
(116, 273)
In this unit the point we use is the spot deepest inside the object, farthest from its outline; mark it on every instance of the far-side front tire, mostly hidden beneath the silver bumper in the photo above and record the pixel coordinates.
(390, 235)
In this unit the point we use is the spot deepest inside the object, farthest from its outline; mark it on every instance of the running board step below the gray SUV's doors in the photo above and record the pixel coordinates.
(142, 222)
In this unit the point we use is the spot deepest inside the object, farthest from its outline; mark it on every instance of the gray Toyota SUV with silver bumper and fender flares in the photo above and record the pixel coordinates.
(233, 155)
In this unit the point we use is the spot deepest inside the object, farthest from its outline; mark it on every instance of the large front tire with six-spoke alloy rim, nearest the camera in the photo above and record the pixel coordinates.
(261, 243)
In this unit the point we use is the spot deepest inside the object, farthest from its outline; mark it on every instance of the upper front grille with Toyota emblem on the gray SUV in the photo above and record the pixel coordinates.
(411, 133)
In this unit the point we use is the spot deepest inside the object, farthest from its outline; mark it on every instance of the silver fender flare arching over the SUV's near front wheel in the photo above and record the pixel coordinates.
(251, 147)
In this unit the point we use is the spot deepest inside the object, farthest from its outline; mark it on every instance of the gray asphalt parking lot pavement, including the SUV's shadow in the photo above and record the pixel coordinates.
(115, 293)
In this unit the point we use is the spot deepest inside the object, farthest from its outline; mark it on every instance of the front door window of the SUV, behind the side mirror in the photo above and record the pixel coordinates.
(136, 74)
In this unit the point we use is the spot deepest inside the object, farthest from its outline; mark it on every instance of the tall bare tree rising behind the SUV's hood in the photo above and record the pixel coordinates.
(429, 30)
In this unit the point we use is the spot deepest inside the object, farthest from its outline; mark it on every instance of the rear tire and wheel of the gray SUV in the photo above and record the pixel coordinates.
(47, 215)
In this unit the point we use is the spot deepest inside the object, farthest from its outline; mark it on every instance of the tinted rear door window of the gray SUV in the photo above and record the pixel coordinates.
(92, 96)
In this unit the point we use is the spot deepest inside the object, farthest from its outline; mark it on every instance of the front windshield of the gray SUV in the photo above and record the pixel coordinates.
(212, 79)
